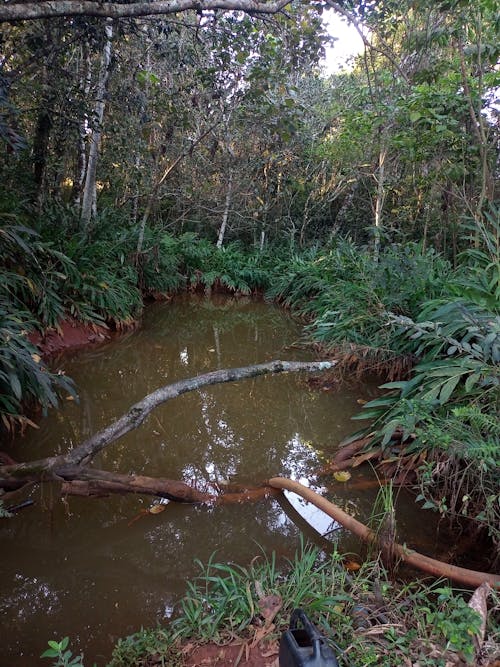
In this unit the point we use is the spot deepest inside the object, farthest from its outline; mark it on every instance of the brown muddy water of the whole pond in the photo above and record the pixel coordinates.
(79, 568)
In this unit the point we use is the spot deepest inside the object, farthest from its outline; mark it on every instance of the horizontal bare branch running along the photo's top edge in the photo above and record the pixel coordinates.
(15, 11)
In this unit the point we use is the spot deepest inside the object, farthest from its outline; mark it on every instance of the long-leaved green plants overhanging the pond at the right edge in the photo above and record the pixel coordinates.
(448, 408)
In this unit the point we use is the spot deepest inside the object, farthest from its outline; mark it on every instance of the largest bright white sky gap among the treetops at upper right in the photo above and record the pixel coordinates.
(346, 45)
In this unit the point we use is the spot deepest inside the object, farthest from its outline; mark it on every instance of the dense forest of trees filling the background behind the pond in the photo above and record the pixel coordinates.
(210, 121)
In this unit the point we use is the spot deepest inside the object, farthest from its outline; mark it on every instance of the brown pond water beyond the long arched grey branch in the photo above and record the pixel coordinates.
(176, 340)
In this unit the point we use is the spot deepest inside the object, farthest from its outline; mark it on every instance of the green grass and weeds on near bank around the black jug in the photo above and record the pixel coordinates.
(368, 619)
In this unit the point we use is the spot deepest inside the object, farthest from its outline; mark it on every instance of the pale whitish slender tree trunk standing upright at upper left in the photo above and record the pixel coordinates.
(89, 191)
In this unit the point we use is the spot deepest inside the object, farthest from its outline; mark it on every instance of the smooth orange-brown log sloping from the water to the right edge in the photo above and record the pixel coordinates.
(471, 578)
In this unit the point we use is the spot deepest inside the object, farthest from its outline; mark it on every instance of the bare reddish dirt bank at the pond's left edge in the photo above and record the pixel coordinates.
(71, 335)
